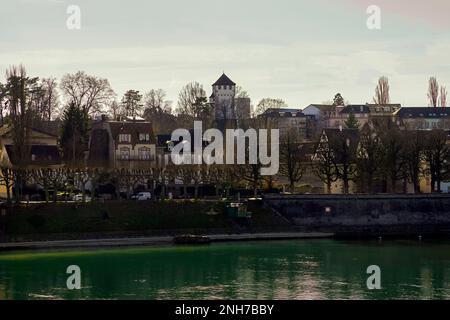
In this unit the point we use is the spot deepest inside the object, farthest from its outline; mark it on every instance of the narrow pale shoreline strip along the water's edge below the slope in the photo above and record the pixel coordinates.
(153, 241)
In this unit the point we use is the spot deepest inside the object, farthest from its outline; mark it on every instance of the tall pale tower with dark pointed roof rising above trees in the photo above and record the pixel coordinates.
(222, 97)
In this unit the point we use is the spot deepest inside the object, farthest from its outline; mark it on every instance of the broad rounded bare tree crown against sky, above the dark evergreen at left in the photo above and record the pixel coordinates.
(89, 93)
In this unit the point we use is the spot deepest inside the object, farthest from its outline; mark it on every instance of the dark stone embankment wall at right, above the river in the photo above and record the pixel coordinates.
(371, 214)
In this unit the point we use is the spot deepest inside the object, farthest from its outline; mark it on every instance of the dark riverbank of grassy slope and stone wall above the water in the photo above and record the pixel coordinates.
(125, 223)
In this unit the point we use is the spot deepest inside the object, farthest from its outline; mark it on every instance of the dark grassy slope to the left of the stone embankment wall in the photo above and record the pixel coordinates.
(60, 221)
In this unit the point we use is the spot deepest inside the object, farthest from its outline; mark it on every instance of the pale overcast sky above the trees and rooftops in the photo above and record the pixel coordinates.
(301, 51)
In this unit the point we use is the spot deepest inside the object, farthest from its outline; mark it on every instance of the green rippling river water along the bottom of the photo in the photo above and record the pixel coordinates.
(303, 269)
